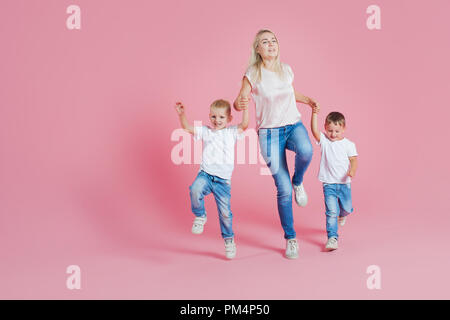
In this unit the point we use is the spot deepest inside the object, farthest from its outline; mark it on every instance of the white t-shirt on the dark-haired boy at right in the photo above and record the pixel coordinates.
(334, 164)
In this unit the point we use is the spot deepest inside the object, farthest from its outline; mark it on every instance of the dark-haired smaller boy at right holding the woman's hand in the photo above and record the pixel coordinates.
(337, 167)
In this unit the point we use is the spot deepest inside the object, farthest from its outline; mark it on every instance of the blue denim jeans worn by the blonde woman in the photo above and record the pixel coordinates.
(273, 143)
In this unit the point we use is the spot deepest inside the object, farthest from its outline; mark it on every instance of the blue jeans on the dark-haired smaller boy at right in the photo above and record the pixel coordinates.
(338, 203)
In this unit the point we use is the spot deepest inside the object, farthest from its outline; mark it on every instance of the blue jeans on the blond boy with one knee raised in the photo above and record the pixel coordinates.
(205, 184)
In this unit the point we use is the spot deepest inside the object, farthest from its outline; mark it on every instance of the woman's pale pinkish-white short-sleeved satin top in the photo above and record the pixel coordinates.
(274, 98)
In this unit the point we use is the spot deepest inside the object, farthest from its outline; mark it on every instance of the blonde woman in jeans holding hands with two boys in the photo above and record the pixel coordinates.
(279, 126)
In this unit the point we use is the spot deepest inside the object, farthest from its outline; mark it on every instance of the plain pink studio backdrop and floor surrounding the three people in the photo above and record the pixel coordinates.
(86, 175)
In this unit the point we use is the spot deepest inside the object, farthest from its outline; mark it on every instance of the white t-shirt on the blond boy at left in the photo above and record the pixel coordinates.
(218, 150)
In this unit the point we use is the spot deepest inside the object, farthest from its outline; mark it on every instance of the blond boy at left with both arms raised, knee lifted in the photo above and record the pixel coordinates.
(216, 167)
